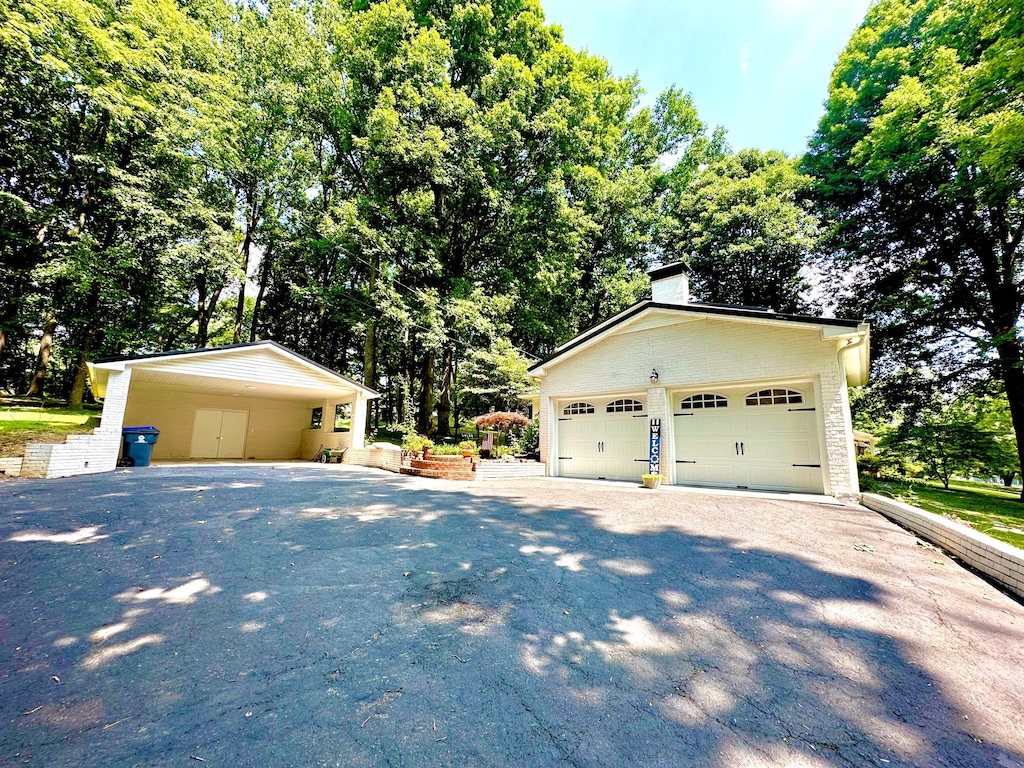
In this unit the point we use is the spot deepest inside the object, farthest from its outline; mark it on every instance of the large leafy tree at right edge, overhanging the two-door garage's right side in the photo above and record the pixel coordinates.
(918, 167)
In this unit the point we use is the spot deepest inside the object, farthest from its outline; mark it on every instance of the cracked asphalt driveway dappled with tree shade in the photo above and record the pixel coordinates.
(309, 616)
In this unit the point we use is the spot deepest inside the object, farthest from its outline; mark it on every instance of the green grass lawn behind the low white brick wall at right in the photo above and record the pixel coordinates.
(988, 509)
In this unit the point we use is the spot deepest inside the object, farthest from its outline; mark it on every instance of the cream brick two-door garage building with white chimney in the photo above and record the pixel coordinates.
(707, 396)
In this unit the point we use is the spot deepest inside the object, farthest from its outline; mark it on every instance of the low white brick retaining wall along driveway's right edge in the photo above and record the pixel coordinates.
(1001, 562)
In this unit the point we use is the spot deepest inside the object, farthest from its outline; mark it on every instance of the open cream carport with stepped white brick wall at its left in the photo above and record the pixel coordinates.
(258, 401)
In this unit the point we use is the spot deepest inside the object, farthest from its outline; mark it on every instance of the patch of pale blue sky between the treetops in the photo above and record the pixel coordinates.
(758, 68)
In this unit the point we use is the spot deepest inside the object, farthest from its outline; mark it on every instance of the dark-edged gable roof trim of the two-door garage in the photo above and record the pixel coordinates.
(858, 331)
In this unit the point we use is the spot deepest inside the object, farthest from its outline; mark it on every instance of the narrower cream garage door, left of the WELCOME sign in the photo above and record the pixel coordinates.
(604, 439)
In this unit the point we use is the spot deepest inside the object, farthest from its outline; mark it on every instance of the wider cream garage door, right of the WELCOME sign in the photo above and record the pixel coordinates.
(763, 439)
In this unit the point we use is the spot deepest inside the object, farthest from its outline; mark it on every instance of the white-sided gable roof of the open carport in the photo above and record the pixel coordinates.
(262, 362)
